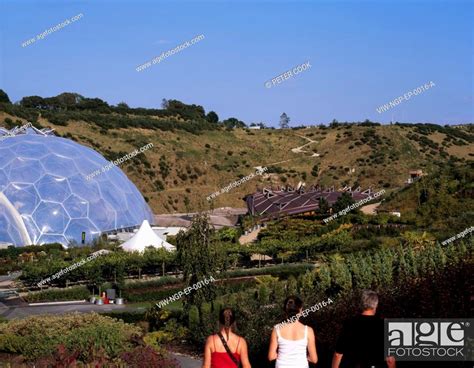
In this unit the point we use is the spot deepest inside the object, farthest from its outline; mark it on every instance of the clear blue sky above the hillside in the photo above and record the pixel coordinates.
(363, 54)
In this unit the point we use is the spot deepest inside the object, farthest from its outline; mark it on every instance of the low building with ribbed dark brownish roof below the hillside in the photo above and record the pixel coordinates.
(288, 201)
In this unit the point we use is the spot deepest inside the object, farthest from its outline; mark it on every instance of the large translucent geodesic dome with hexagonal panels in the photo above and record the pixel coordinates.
(45, 196)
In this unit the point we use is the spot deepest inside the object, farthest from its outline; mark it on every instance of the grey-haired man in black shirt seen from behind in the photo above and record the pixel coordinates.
(360, 344)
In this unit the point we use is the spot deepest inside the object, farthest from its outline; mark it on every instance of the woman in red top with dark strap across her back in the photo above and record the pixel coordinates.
(226, 349)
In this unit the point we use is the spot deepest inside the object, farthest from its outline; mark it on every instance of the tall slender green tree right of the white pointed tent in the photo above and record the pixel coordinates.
(196, 255)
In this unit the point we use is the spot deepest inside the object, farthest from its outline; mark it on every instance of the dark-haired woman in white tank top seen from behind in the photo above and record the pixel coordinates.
(292, 344)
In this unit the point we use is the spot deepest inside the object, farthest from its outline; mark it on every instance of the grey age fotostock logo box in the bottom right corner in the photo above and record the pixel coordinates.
(429, 339)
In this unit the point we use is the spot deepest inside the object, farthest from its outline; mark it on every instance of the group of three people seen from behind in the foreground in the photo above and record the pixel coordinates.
(293, 345)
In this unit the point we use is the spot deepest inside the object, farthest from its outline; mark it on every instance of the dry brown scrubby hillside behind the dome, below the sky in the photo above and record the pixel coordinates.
(196, 154)
